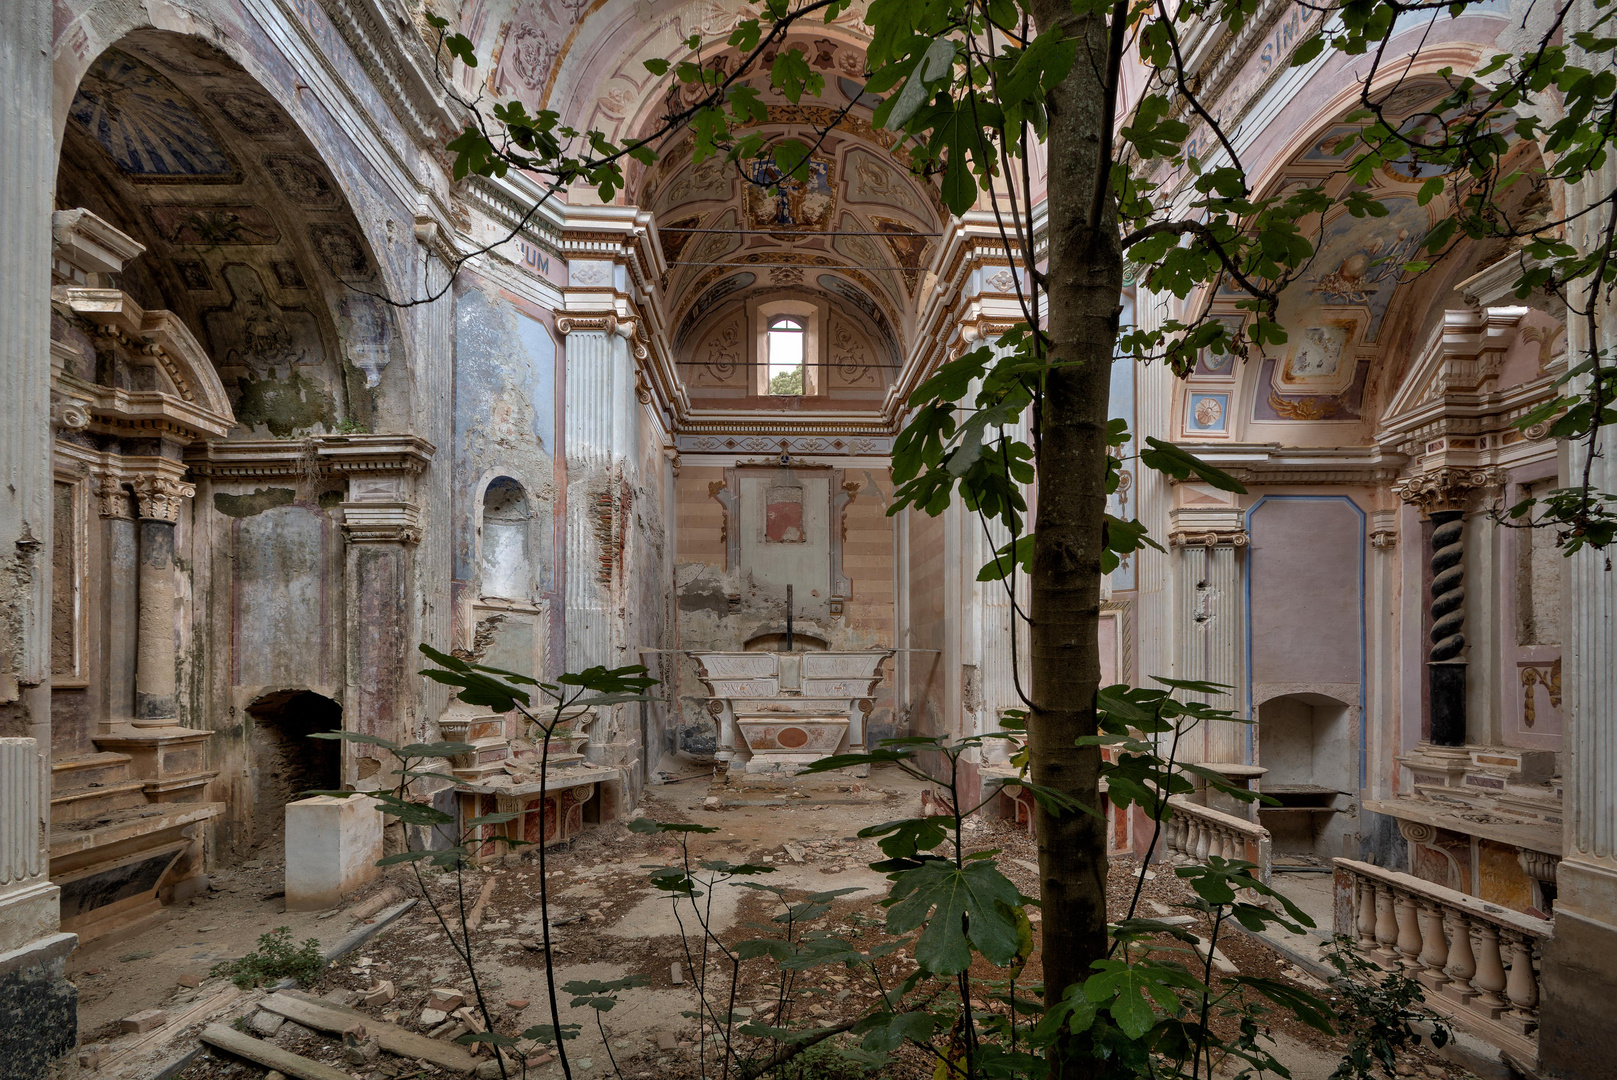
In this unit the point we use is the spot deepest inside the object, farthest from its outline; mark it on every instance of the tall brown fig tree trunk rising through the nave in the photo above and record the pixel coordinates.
(1083, 303)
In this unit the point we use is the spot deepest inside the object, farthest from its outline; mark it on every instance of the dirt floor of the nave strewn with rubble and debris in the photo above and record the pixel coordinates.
(609, 922)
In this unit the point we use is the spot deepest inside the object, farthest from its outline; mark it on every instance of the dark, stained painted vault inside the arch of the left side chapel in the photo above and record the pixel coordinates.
(251, 237)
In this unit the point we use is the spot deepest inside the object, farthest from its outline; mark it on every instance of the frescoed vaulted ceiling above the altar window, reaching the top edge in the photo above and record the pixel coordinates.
(858, 234)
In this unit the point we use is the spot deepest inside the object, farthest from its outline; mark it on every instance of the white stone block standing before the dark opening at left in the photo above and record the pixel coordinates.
(332, 850)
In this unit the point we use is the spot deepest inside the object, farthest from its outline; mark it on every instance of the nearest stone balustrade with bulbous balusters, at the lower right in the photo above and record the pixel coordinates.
(1477, 961)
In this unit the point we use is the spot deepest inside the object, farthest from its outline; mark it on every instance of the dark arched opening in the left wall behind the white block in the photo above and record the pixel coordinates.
(287, 762)
